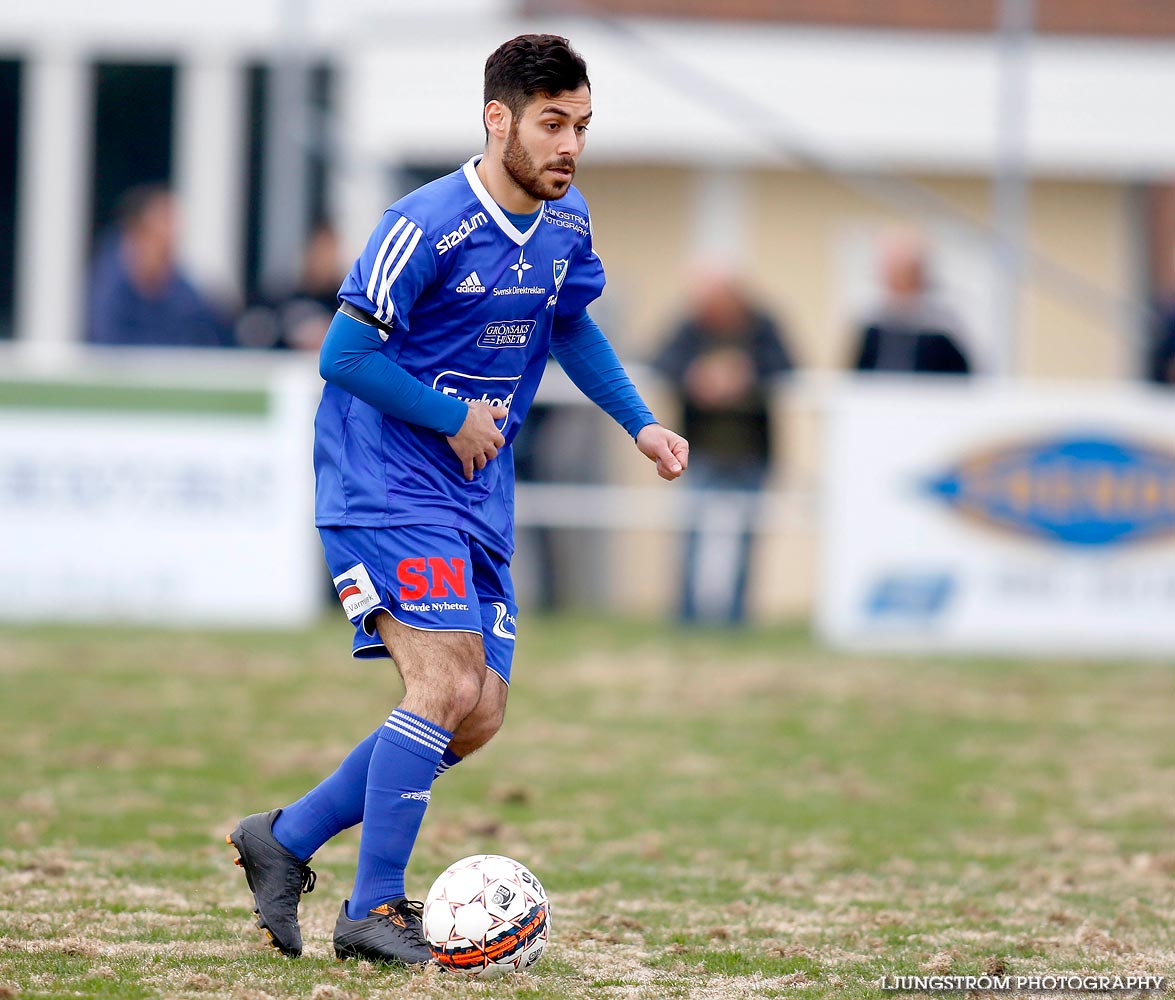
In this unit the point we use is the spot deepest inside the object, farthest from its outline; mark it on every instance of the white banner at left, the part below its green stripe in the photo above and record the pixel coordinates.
(138, 514)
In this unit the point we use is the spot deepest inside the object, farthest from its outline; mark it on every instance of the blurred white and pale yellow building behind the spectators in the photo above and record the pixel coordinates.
(781, 147)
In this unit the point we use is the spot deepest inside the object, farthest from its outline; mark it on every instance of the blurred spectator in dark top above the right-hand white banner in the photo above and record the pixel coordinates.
(910, 331)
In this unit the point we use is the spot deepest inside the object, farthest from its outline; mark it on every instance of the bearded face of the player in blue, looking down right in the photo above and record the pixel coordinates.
(546, 142)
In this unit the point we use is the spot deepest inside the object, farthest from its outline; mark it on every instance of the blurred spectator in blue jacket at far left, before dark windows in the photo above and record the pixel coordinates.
(138, 293)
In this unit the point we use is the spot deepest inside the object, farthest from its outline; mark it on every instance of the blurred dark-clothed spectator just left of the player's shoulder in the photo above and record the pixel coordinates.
(298, 319)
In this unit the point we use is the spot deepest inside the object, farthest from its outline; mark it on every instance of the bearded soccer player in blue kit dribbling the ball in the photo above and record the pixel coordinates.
(442, 334)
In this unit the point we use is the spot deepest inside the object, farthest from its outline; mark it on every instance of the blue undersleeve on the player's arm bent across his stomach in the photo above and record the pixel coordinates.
(352, 359)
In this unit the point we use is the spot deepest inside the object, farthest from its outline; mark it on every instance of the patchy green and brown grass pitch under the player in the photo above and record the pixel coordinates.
(714, 815)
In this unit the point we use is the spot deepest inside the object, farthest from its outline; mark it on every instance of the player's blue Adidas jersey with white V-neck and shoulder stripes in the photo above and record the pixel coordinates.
(471, 303)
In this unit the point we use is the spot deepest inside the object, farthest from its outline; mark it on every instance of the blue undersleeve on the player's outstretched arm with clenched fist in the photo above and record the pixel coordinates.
(590, 361)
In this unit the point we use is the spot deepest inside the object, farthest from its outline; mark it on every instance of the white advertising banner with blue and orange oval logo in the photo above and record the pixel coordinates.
(1013, 519)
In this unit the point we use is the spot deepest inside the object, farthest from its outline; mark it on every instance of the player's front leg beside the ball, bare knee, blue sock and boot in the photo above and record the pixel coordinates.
(444, 674)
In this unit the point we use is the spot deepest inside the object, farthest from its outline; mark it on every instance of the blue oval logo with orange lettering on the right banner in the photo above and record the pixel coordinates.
(1083, 492)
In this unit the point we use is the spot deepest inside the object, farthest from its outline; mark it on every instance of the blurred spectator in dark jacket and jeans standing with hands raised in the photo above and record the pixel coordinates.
(721, 361)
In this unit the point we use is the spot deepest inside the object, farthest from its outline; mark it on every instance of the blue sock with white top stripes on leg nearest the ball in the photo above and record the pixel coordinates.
(406, 759)
